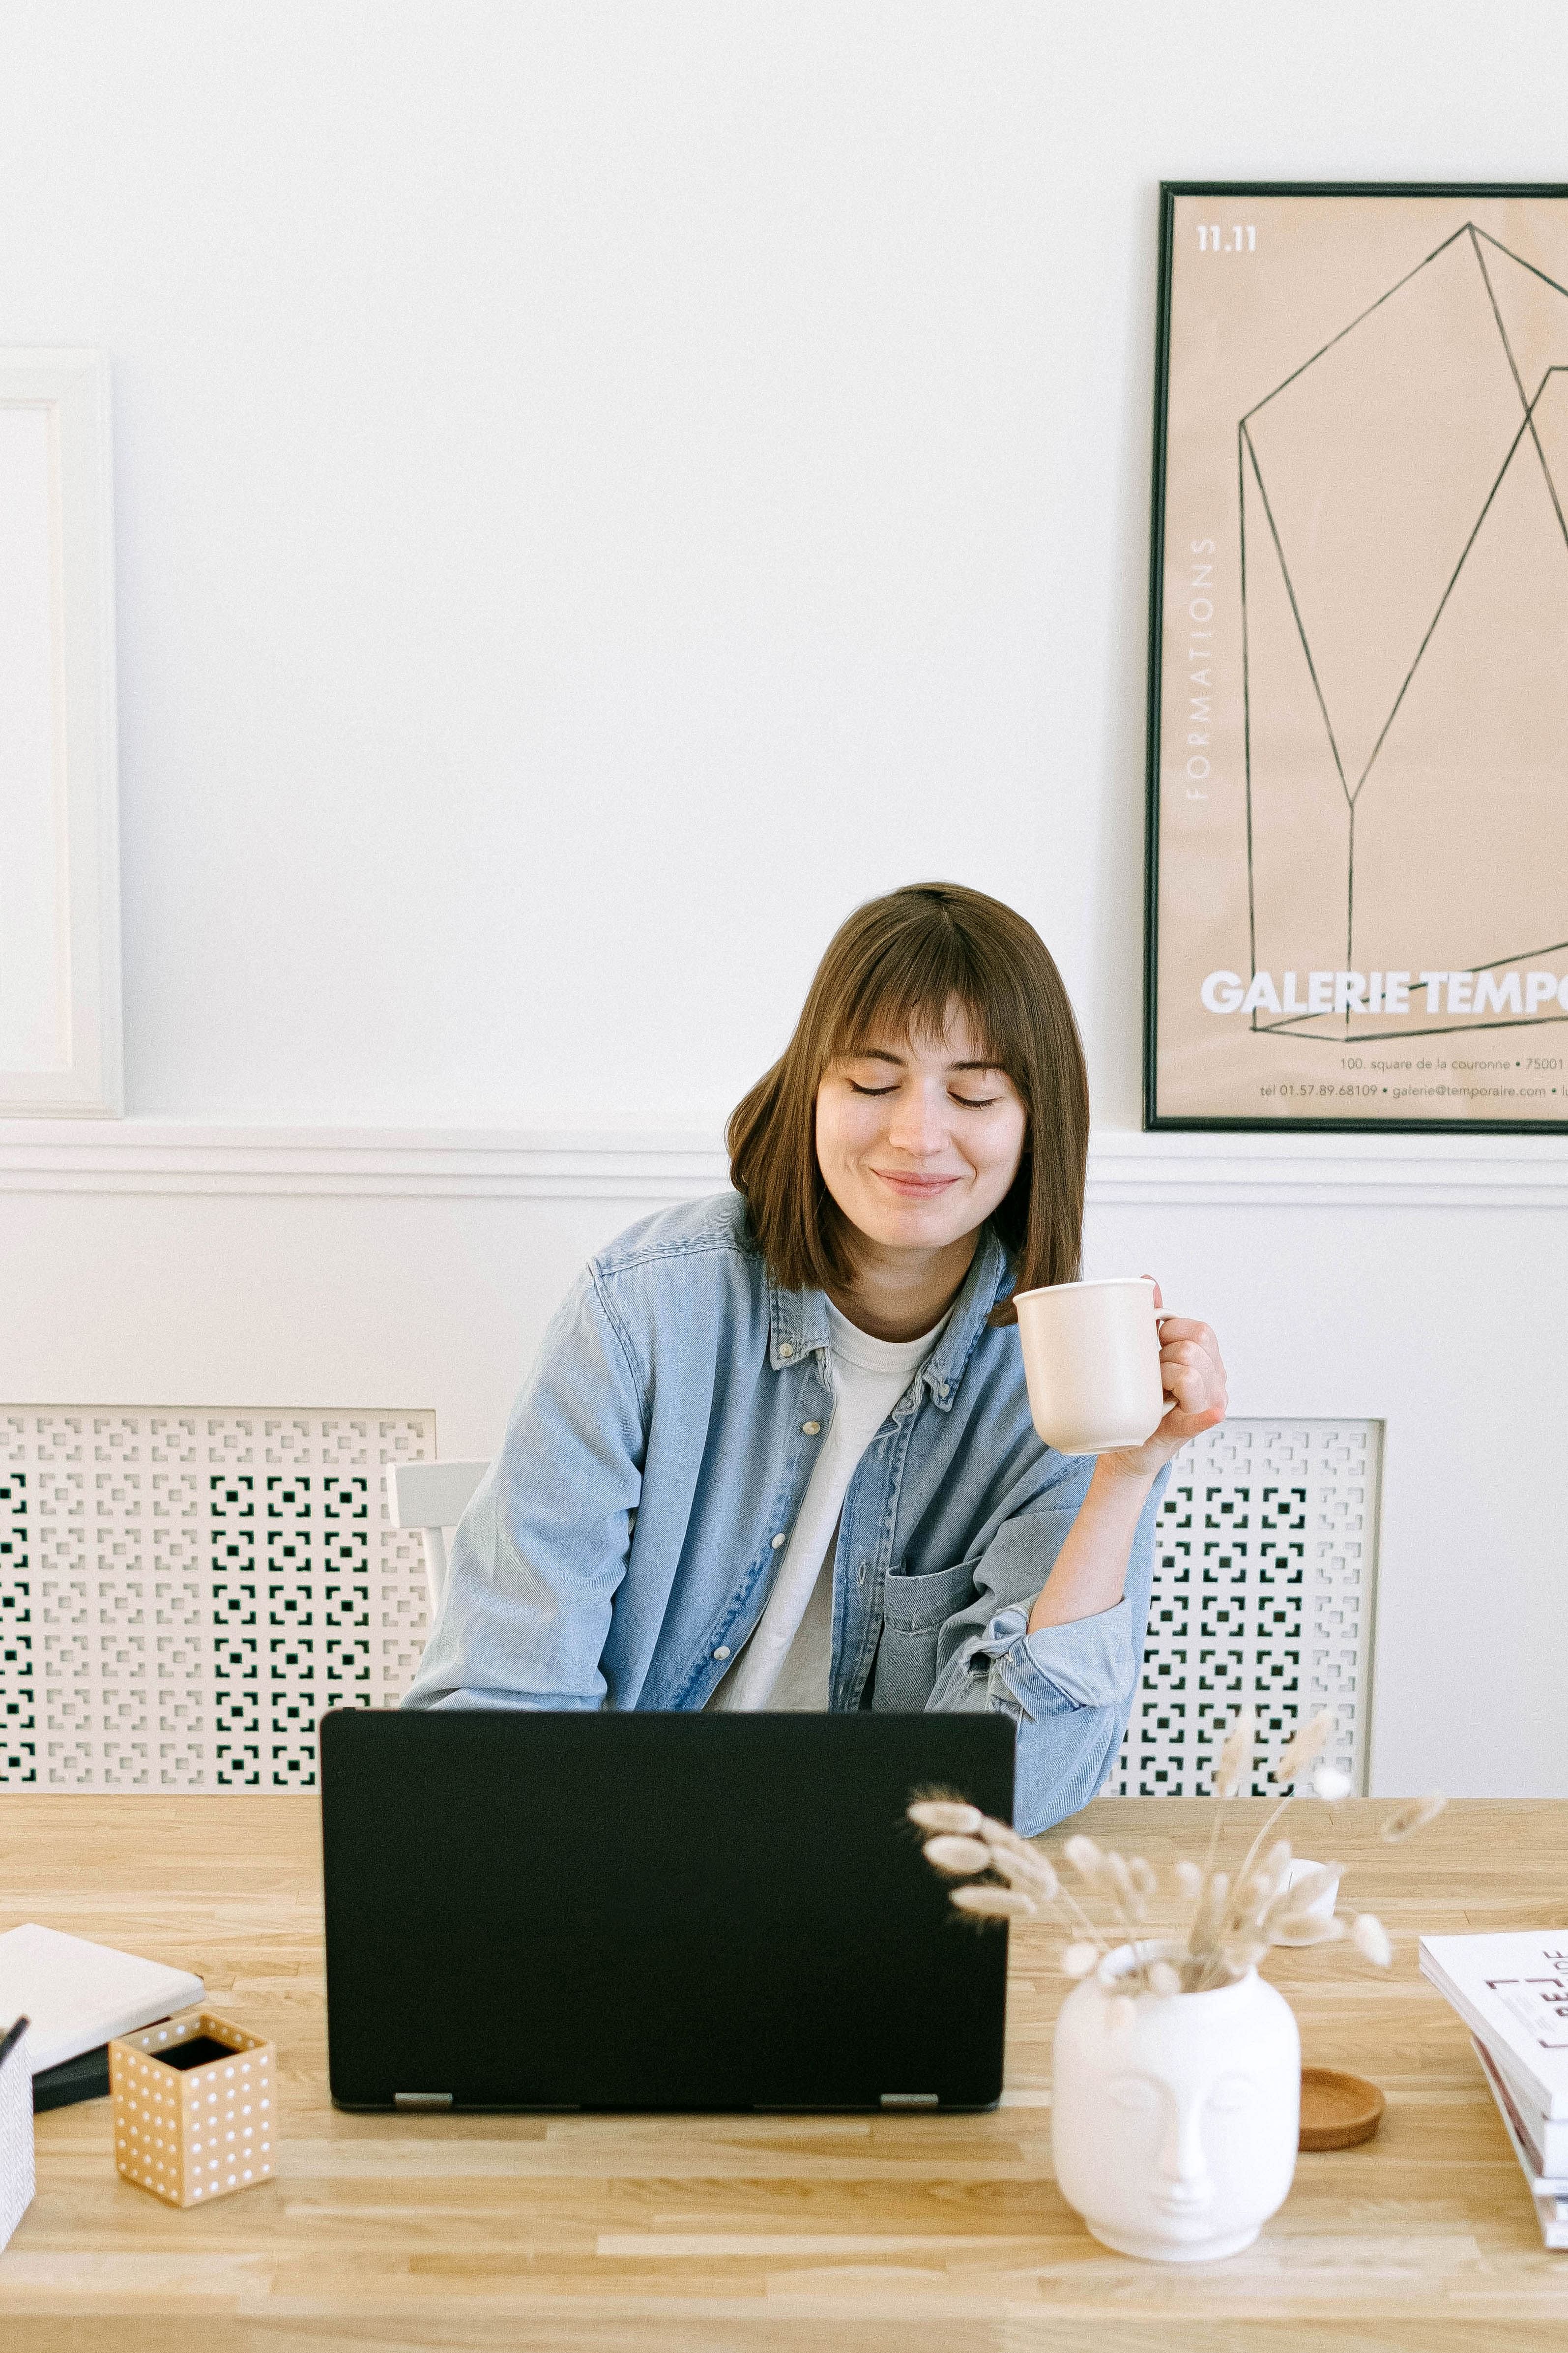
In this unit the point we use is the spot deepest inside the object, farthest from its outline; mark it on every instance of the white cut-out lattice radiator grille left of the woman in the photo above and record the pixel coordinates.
(187, 1589)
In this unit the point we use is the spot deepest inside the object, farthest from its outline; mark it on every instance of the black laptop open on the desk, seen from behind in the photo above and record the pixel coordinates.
(655, 1912)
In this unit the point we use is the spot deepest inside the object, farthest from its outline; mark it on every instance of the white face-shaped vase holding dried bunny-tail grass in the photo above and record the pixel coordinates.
(1177, 2131)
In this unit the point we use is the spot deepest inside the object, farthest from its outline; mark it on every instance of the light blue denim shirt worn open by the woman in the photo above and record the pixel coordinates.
(624, 1542)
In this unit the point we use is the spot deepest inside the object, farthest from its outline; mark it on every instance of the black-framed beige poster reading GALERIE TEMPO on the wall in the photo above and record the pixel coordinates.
(1358, 881)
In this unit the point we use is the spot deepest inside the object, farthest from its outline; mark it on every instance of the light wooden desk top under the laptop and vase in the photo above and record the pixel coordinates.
(753, 2234)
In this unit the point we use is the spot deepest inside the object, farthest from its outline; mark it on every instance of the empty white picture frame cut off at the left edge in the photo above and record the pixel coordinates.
(60, 855)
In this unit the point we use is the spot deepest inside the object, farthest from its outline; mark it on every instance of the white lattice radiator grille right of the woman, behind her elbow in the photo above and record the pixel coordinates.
(1264, 1592)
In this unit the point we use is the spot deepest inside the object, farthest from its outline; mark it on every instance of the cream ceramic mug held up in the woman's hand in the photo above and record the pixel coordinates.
(1092, 1361)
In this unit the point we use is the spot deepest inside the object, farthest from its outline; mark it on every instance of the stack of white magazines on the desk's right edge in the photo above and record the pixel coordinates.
(1513, 1994)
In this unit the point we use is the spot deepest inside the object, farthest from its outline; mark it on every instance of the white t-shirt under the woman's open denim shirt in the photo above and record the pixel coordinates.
(789, 1660)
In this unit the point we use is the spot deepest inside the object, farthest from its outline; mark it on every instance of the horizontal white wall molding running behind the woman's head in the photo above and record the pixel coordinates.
(455, 1164)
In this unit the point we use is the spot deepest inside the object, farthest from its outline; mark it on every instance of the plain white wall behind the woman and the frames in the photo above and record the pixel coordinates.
(601, 491)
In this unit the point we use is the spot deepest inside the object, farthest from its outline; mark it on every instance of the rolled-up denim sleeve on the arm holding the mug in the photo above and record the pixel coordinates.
(1068, 1688)
